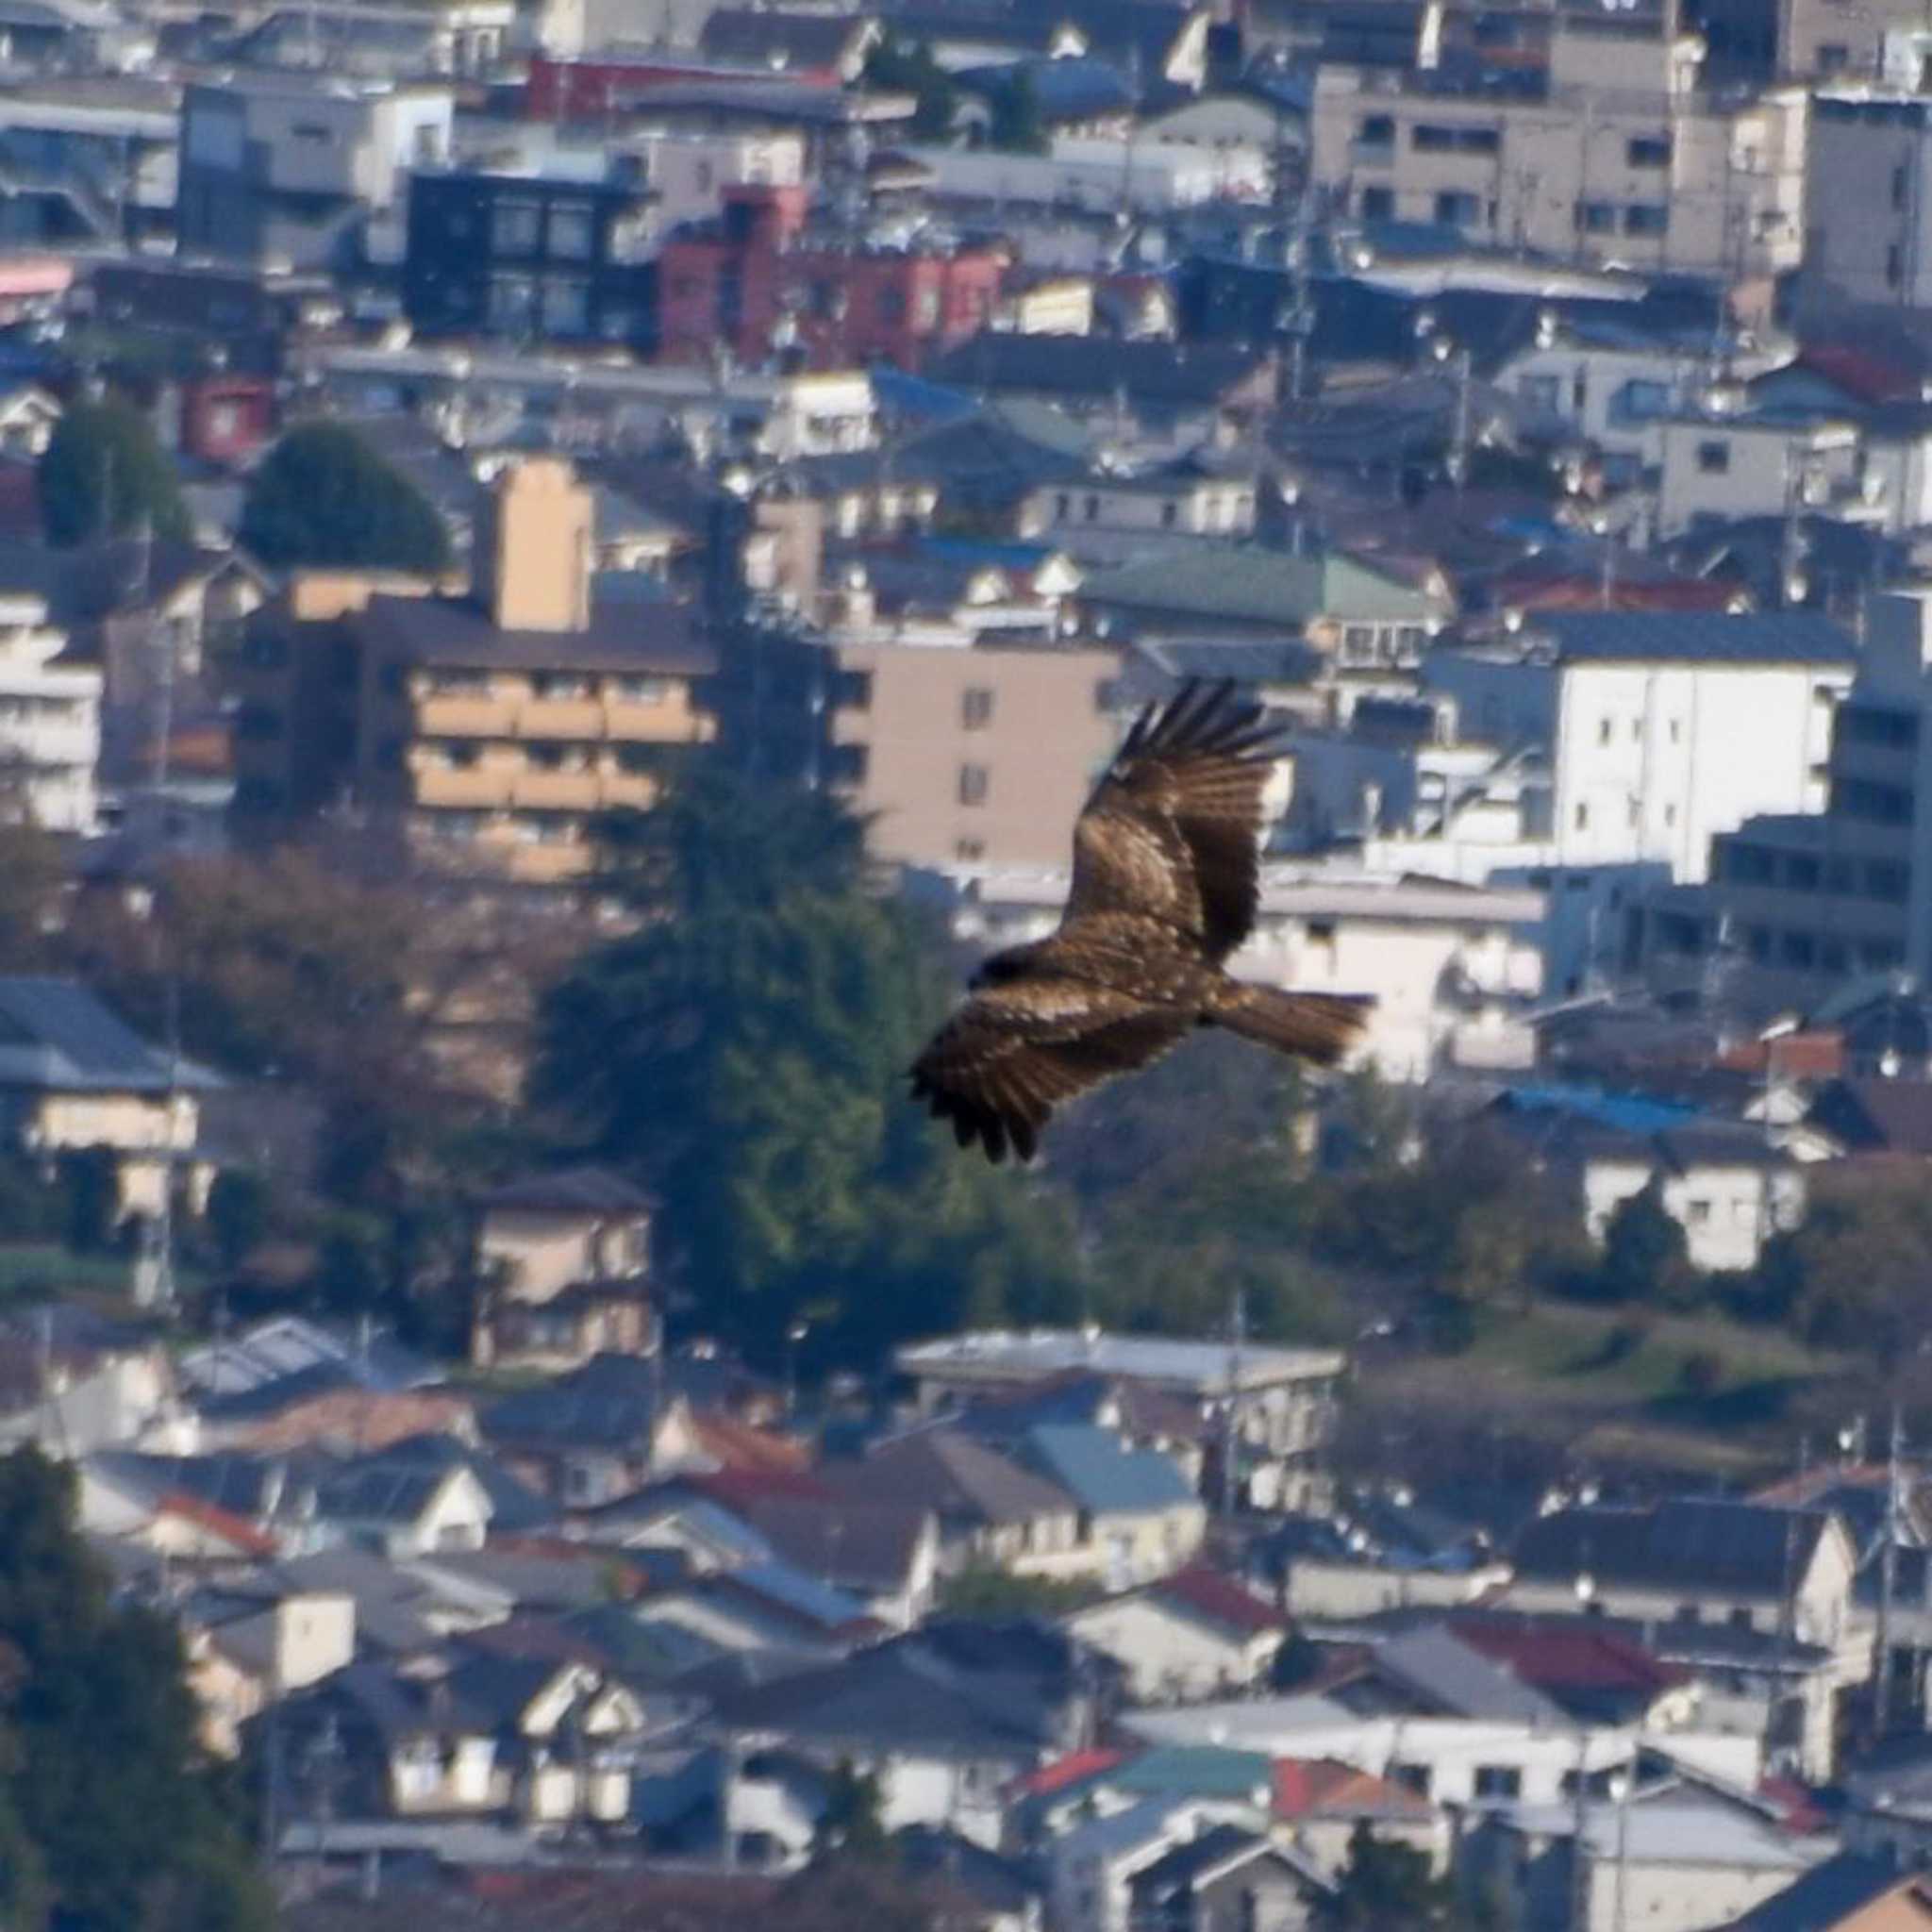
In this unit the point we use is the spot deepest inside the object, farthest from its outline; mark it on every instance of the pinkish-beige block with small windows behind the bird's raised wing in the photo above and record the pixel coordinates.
(973, 754)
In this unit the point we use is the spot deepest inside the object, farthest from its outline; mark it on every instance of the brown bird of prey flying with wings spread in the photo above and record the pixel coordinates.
(1164, 890)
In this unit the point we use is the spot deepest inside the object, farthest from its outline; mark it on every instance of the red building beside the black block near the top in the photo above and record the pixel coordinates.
(841, 300)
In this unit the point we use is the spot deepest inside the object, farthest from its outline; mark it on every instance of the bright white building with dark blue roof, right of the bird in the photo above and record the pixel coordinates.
(1661, 729)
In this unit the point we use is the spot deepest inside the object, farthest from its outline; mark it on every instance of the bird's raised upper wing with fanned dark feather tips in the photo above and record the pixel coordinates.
(1172, 830)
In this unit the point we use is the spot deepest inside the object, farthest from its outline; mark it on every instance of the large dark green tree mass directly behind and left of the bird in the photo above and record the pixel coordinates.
(749, 1052)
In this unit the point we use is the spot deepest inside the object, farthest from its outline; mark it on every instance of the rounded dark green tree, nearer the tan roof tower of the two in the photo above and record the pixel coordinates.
(326, 499)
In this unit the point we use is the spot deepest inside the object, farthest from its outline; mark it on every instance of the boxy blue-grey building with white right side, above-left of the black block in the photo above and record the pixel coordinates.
(302, 171)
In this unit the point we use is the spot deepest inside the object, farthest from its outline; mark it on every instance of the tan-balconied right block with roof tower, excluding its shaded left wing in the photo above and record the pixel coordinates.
(496, 727)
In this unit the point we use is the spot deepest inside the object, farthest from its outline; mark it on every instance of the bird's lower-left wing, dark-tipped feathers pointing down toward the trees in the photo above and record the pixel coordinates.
(1015, 1052)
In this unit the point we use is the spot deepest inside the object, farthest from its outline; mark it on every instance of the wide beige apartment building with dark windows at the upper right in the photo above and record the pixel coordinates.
(1610, 154)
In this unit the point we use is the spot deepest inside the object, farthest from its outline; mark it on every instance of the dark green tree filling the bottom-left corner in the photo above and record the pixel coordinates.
(109, 1811)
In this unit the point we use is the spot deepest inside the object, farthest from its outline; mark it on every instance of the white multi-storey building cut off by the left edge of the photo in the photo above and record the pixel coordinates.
(49, 724)
